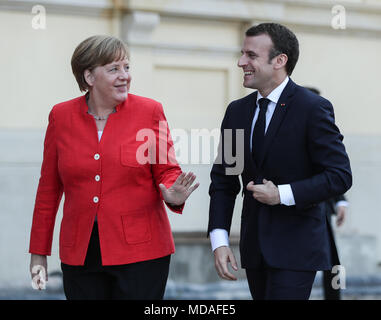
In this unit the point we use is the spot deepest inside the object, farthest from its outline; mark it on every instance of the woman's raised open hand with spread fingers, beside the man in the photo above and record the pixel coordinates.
(180, 190)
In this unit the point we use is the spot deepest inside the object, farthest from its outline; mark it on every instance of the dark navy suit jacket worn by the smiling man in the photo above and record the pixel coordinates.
(303, 148)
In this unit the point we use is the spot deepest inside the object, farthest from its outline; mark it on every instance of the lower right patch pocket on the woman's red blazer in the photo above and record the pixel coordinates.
(136, 226)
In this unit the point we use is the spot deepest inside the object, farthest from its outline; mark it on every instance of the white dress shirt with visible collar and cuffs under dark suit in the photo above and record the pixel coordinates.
(219, 237)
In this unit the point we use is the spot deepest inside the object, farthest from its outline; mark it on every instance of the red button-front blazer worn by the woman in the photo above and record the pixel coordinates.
(104, 179)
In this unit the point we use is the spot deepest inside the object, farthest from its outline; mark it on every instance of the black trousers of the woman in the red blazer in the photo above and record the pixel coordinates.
(144, 280)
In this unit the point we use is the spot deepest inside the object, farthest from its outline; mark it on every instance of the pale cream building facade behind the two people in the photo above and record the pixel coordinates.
(184, 54)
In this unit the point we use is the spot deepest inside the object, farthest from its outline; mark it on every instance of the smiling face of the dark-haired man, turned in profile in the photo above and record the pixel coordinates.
(254, 61)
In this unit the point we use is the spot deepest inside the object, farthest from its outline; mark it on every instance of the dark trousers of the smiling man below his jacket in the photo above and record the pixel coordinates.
(267, 283)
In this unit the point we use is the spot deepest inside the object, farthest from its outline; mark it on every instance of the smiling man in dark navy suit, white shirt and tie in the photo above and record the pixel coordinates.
(293, 160)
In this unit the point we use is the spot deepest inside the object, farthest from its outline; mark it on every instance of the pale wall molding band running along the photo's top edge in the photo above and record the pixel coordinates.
(362, 15)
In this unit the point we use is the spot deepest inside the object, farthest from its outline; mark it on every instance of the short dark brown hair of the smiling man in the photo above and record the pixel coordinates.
(284, 41)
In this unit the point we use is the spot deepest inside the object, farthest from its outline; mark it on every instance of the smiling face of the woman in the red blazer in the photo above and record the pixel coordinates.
(110, 82)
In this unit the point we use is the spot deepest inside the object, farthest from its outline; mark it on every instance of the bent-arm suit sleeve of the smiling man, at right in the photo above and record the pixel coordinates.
(329, 159)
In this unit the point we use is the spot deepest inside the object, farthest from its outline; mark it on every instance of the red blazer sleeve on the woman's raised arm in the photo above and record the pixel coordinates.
(165, 170)
